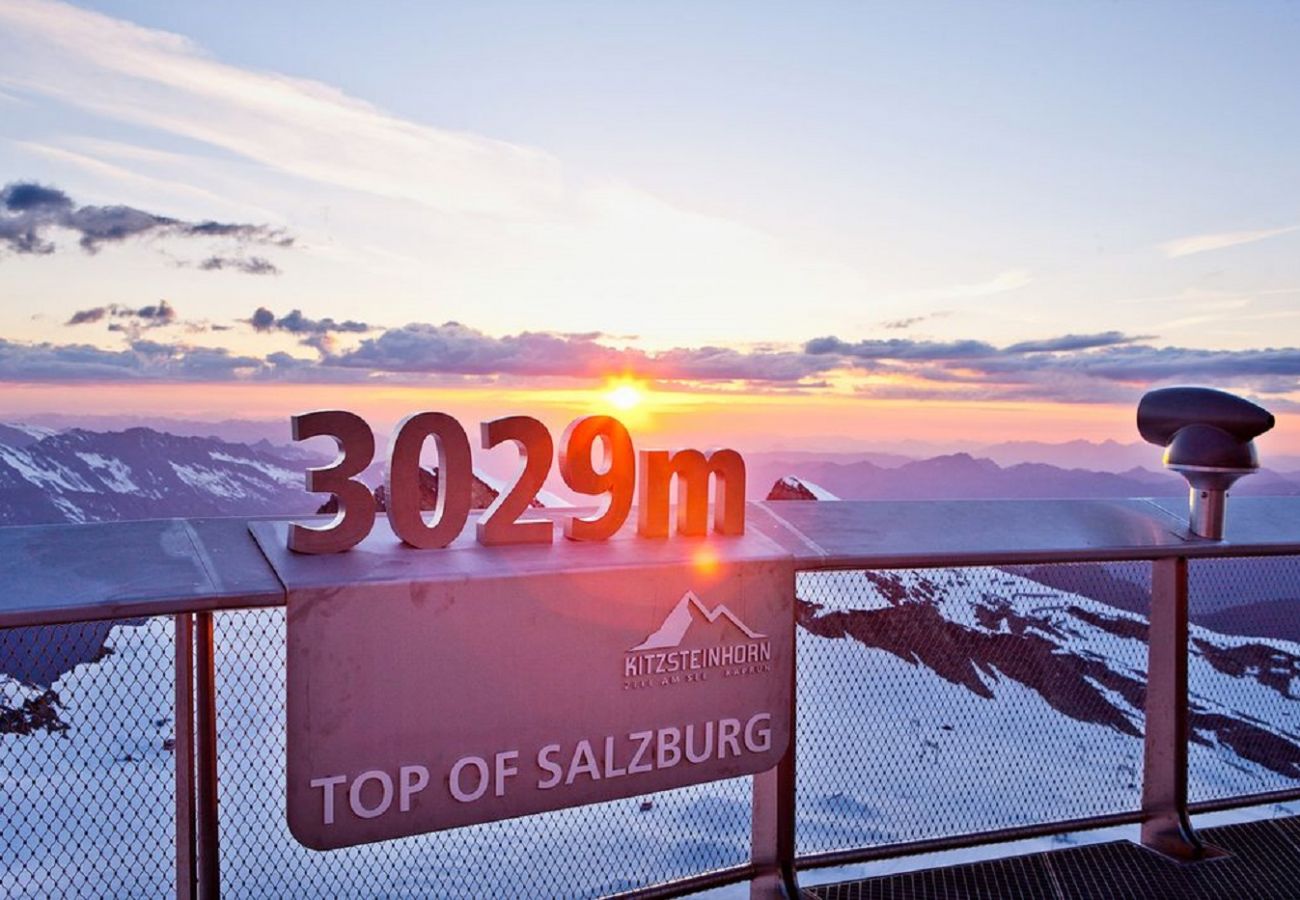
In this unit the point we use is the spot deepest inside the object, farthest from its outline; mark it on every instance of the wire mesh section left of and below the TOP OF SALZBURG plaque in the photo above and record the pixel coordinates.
(579, 853)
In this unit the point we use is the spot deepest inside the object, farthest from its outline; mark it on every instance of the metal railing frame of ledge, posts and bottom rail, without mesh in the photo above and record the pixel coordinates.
(190, 569)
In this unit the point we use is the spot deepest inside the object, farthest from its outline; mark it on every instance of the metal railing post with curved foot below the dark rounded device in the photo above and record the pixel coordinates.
(1165, 827)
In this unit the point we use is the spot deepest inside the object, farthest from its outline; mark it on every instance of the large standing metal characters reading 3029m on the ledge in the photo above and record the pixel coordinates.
(504, 522)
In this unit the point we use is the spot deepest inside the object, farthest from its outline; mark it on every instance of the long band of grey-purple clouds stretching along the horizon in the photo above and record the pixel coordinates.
(1104, 367)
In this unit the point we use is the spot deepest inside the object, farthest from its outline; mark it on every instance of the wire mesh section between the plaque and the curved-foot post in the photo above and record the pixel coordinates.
(948, 702)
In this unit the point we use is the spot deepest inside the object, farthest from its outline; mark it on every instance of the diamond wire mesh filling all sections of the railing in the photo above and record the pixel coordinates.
(933, 703)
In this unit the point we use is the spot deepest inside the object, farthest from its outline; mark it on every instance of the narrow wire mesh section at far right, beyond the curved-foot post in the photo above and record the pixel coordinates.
(1243, 676)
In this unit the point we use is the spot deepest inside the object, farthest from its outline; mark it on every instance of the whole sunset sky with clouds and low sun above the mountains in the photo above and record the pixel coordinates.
(825, 226)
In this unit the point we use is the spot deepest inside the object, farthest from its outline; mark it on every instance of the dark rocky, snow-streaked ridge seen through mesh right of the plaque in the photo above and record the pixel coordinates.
(987, 631)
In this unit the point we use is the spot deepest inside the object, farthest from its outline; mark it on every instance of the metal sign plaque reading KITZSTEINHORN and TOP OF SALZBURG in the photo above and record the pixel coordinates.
(501, 683)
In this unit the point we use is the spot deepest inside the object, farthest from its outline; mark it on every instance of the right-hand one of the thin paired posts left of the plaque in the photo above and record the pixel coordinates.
(206, 746)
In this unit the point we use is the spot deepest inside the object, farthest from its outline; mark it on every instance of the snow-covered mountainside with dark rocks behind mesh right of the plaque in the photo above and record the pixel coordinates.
(991, 687)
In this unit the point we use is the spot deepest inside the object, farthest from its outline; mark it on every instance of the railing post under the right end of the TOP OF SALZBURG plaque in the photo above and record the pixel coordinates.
(773, 821)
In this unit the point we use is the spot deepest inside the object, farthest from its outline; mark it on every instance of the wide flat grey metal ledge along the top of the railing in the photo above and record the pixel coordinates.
(161, 568)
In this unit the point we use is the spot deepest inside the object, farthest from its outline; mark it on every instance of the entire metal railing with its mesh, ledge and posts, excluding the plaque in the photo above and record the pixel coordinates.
(891, 756)
